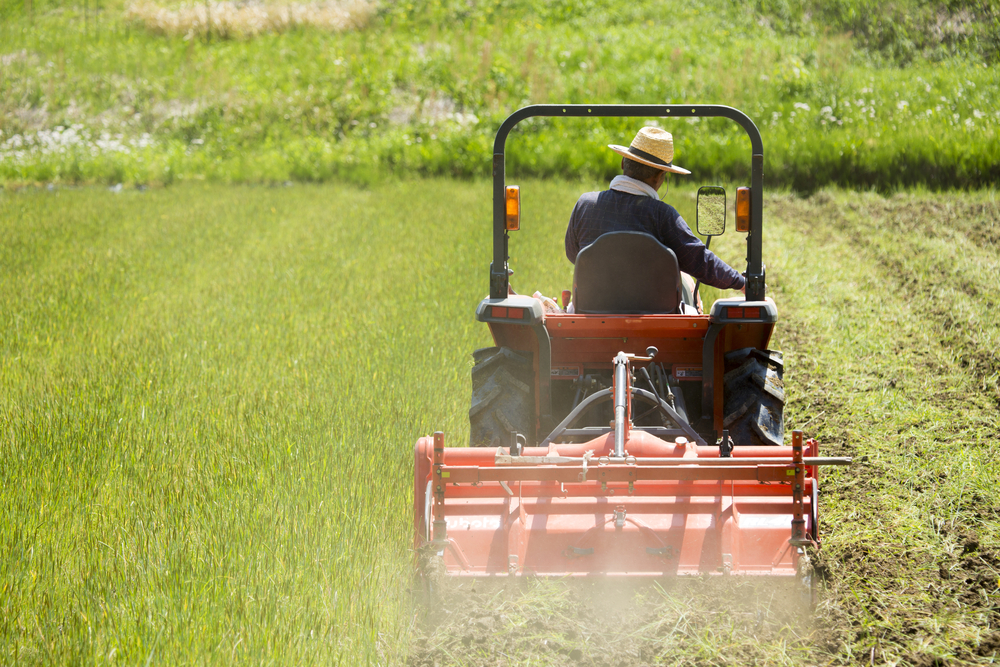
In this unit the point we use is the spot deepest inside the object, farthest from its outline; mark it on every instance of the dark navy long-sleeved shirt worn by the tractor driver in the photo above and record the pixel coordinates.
(598, 213)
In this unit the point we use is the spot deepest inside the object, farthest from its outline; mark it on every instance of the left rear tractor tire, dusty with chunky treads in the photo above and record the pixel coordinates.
(503, 397)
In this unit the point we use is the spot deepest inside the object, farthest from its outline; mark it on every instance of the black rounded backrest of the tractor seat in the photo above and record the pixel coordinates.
(626, 272)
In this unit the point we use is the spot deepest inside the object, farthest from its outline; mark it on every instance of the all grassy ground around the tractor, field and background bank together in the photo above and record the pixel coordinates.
(211, 380)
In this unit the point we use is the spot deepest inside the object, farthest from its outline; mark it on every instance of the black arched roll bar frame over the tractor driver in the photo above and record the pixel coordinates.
(755, 267)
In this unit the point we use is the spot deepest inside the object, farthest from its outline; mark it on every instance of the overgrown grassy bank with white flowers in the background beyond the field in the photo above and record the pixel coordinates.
(424, 86)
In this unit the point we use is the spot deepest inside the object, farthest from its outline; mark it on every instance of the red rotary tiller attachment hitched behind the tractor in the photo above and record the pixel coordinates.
(624, 503)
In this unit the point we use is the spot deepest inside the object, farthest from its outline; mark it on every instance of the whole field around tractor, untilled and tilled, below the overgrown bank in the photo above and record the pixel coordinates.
(210, 394)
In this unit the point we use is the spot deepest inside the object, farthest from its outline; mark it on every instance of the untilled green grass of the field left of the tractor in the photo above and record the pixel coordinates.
(209, 403)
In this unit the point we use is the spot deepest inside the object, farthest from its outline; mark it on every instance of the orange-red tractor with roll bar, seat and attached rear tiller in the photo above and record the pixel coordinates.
(696, 481)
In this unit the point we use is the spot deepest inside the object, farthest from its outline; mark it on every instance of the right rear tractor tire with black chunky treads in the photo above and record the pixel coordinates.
(754, 406)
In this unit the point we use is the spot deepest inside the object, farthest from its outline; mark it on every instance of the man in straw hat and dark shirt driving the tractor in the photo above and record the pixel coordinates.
(632, 204)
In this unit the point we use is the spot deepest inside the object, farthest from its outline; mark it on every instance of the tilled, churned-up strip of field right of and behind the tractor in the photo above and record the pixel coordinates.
(889, 328)
